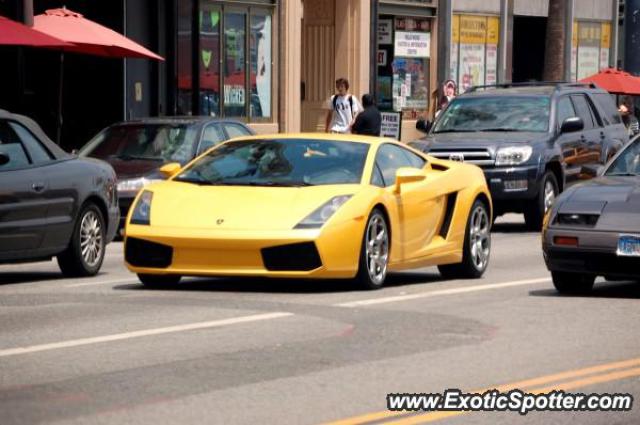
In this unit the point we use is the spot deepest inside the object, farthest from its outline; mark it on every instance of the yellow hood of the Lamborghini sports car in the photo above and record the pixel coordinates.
(187, 205)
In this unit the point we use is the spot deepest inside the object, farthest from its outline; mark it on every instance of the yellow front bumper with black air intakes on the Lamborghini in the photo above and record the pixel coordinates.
(213, 252)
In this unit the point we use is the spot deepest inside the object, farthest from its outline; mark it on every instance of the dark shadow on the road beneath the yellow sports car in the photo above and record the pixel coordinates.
(293, 286)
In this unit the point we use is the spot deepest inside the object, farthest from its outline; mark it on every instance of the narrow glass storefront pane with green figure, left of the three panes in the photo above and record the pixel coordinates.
(209, 58)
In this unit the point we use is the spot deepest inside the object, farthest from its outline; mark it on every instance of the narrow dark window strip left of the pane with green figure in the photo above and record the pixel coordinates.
(184, 47)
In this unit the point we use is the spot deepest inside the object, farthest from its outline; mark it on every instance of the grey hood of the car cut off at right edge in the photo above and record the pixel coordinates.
(616, 199)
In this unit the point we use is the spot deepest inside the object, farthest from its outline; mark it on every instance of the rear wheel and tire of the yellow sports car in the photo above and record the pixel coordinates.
(471, 267)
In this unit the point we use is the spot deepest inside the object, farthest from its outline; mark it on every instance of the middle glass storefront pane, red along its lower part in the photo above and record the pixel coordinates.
(234, 67)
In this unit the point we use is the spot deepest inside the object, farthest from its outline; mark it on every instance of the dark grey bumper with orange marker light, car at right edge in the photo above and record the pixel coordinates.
(595, 254)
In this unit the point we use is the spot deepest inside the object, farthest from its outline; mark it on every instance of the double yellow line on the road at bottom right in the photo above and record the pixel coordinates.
(533, 382)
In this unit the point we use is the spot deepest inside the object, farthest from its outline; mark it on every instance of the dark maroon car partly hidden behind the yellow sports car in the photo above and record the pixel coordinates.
(138, 149)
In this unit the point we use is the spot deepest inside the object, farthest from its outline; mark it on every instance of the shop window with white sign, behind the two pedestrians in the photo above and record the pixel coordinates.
(404, 46)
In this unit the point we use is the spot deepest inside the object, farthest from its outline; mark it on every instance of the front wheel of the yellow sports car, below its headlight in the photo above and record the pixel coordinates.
(374, 256)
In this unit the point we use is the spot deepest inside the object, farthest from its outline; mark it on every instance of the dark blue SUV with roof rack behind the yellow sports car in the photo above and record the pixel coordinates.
(531, 140)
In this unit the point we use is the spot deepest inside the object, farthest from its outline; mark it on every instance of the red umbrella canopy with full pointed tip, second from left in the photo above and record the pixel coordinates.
(88, 36)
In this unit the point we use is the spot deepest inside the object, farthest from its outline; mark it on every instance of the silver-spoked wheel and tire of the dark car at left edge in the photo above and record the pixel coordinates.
(72, 261)
